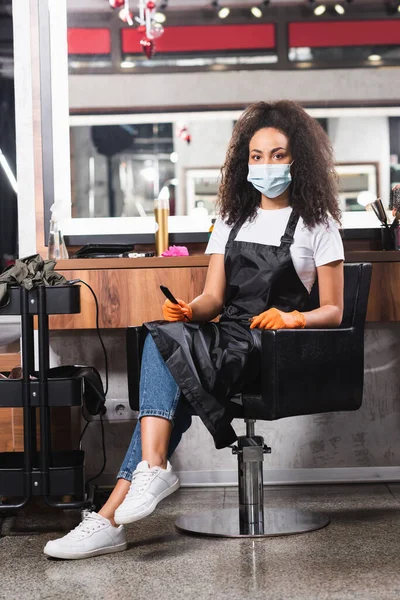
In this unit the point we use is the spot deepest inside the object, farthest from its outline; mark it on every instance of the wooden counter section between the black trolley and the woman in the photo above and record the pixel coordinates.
(128, 289)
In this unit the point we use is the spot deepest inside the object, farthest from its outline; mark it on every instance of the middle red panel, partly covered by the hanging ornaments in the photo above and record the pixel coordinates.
(202, 38)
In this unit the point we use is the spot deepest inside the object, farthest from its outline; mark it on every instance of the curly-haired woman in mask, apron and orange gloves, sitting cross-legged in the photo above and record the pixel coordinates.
(276, 232)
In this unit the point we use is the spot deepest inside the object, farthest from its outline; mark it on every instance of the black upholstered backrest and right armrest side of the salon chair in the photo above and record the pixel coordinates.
(312, 371)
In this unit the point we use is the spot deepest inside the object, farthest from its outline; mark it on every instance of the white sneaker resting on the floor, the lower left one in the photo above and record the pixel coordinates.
(93, 536)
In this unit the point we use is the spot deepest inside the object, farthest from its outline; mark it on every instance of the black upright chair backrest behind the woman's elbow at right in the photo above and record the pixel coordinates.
(357, 278)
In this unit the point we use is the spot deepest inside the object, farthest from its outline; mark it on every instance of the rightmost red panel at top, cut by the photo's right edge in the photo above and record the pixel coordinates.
(344, 33)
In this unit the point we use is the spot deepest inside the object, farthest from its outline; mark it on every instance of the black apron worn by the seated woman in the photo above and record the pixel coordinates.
(212, 362)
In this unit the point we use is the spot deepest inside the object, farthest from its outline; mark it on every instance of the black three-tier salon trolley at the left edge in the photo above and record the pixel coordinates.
(38, 471)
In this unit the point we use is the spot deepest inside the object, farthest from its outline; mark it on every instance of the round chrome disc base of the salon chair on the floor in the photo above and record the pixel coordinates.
(226, 523)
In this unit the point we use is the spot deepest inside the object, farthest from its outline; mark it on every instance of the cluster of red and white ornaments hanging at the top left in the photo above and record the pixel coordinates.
(149, 28)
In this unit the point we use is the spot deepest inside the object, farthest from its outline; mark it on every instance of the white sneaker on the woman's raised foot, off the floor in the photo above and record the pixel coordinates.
(149, 486)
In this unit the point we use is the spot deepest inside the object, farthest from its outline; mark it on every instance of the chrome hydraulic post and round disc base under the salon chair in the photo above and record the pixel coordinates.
(250, 520)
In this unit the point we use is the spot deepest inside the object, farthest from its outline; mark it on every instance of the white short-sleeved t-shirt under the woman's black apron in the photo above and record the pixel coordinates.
(310, 249)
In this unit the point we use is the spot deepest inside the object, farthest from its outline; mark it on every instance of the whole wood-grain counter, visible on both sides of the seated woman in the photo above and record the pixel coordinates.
(128, 288)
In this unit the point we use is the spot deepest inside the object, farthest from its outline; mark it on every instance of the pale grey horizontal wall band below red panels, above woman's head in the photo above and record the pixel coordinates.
(234, 87)
